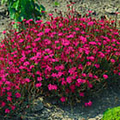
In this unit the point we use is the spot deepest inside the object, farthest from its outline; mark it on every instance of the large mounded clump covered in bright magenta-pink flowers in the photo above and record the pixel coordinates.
(64, 57)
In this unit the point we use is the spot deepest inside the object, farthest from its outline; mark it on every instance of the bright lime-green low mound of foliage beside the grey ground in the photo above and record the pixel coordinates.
(112, 114)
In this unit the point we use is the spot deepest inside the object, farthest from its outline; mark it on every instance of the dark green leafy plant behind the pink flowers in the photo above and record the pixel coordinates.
(24, 9)
